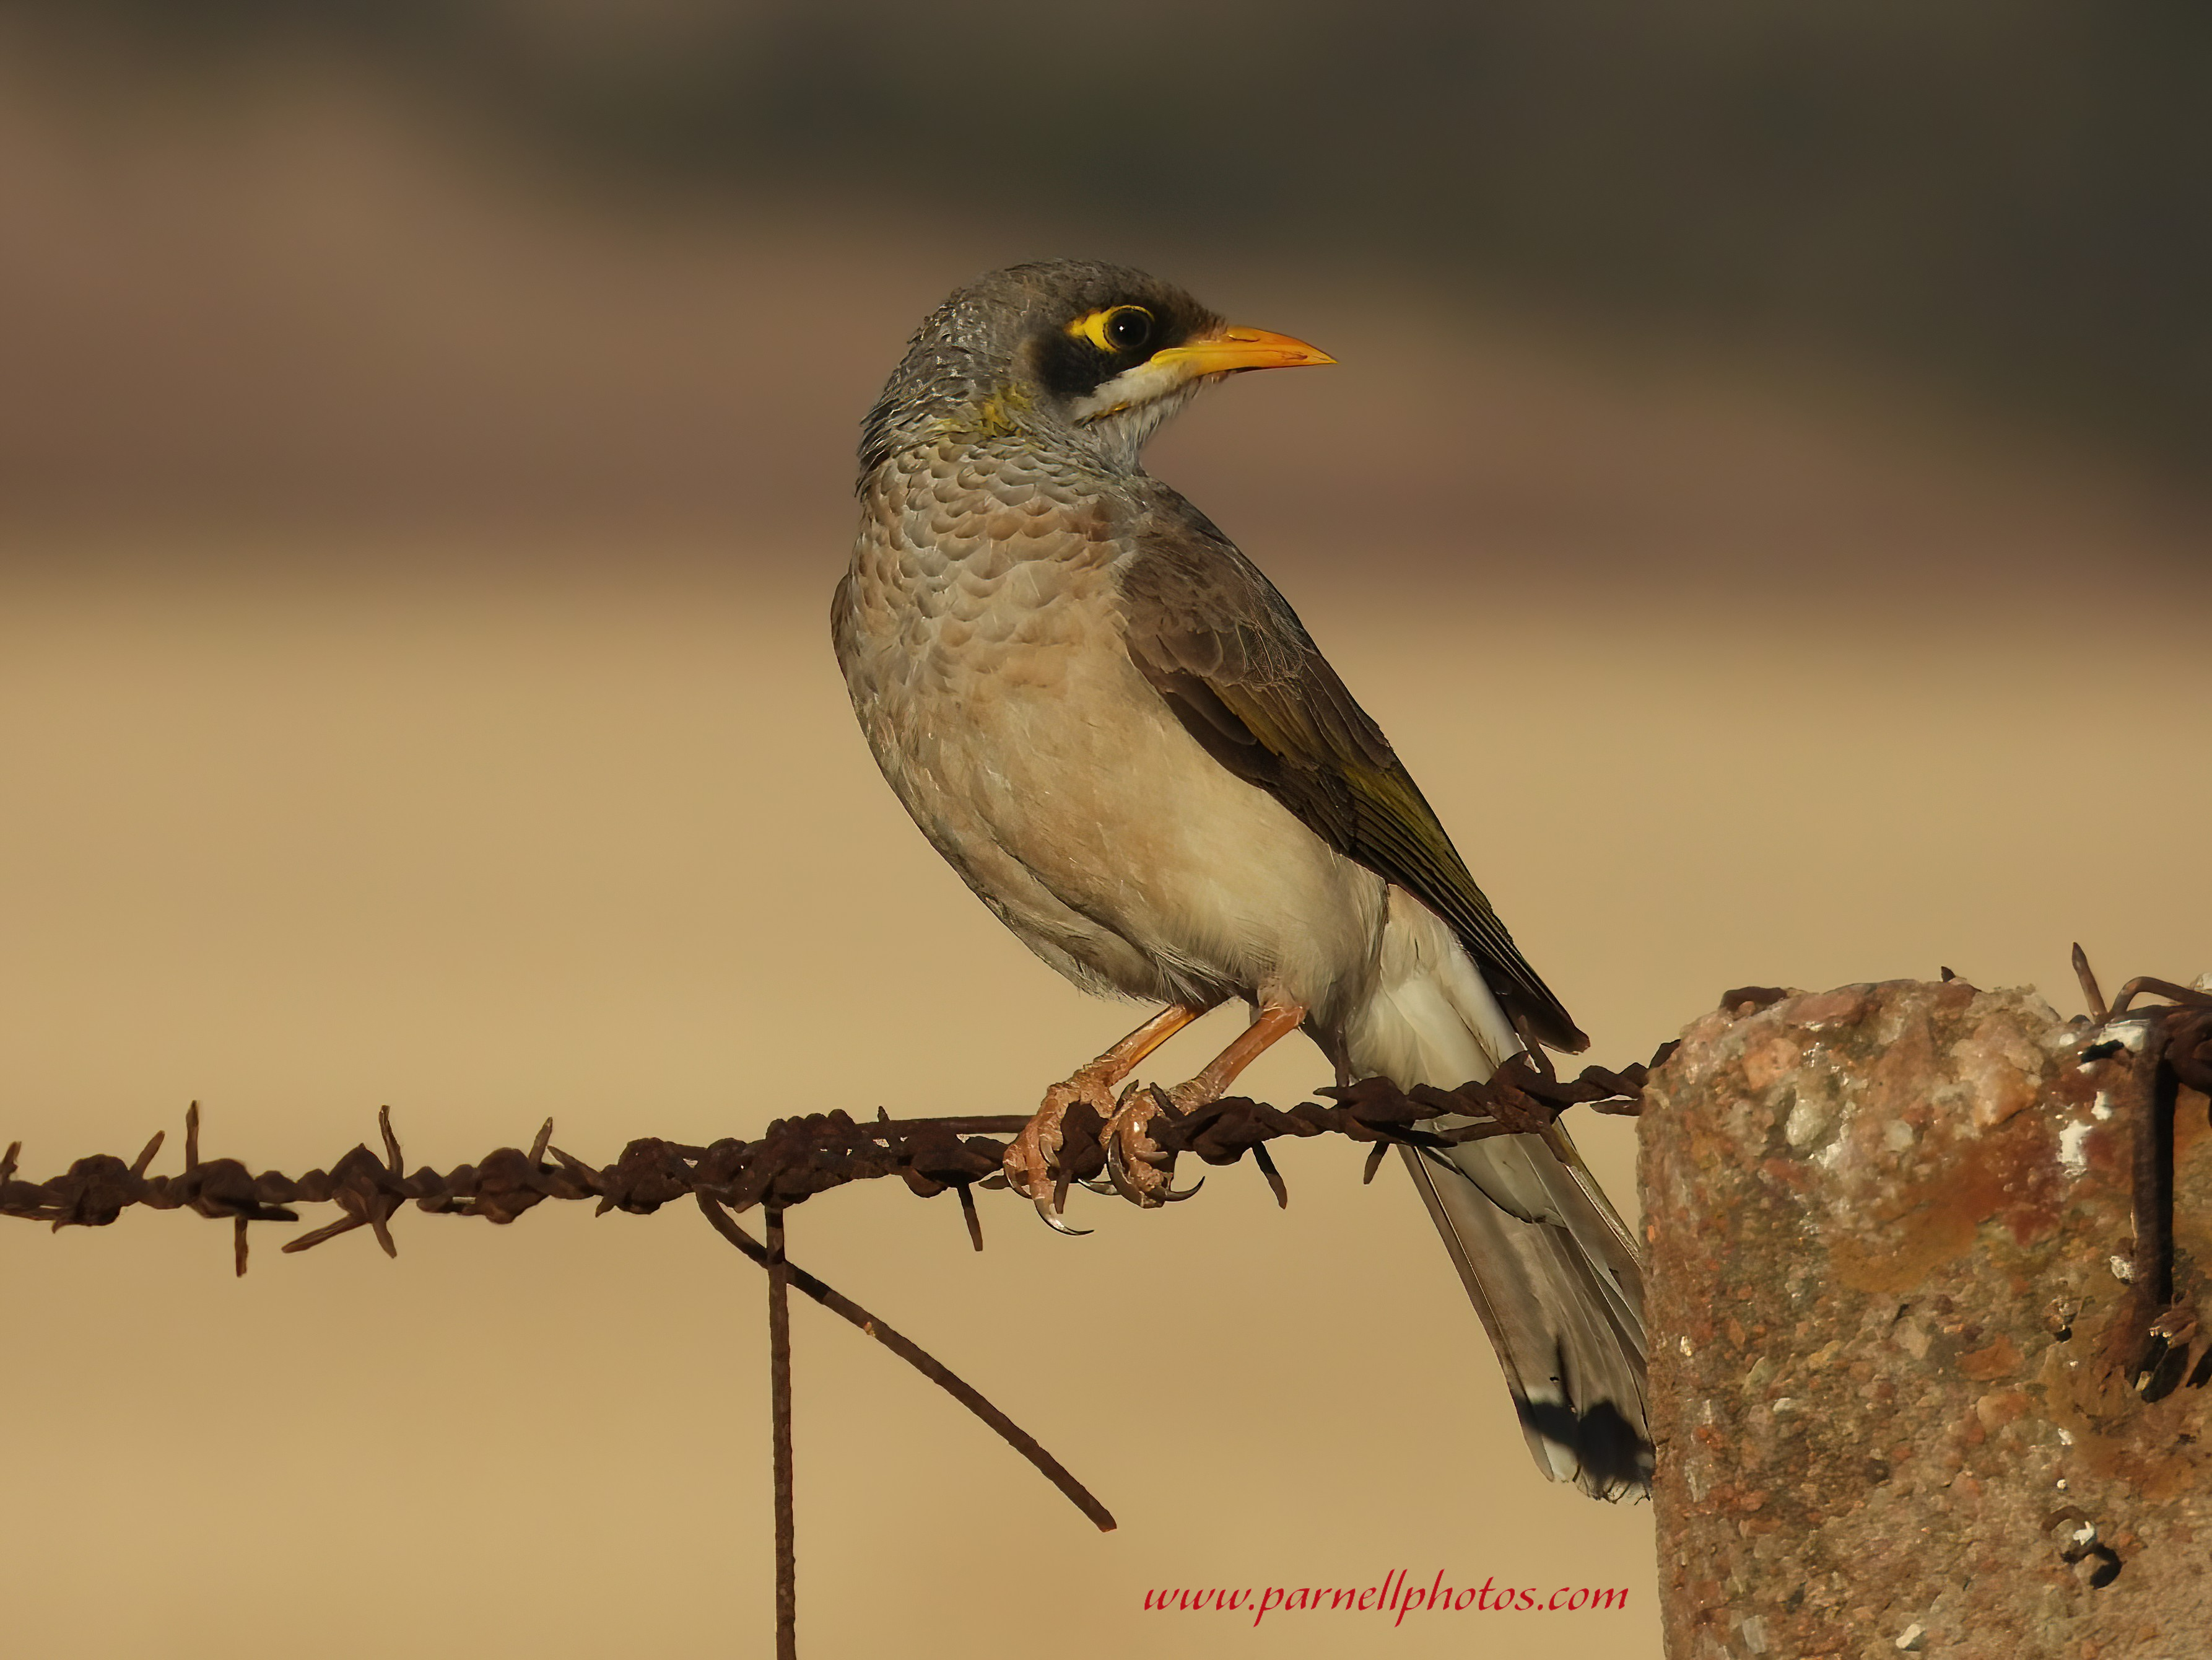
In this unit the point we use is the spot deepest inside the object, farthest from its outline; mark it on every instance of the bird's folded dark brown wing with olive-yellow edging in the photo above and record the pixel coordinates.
(1240, 672)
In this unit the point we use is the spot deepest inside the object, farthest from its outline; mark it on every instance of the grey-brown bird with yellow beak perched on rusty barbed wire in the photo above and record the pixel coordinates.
(1125, 740)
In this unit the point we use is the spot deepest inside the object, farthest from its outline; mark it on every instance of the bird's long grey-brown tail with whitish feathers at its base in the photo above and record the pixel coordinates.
(1547, 1260)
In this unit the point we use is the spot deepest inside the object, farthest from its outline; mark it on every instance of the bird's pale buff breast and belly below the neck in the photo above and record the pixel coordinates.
(1041, 762)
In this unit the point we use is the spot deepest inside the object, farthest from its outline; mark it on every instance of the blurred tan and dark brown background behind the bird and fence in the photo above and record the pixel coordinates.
(1762, 495)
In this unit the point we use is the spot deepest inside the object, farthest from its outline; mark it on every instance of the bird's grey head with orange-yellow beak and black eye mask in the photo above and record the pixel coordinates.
(1063, 353)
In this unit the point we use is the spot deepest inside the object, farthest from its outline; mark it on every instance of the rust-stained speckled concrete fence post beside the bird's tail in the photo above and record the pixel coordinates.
(1892, 1338)
